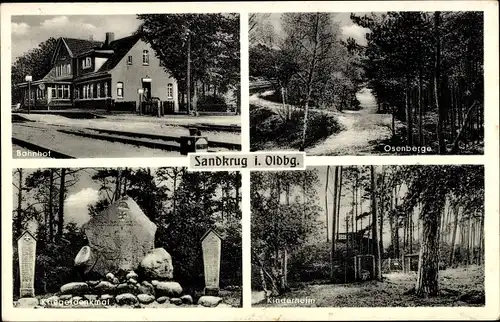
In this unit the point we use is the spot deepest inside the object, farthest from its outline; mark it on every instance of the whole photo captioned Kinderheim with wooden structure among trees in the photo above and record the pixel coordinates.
(368, 236)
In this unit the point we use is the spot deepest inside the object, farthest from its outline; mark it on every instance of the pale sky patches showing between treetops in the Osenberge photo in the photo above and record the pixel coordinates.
(347, 27)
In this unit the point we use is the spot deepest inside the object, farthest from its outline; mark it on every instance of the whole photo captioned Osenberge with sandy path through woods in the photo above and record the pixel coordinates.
(384, 83)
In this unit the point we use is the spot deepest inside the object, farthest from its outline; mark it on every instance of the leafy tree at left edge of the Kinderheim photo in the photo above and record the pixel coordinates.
(279, 223)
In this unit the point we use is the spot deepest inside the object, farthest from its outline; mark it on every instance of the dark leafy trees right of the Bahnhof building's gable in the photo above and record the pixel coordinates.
(213, 41)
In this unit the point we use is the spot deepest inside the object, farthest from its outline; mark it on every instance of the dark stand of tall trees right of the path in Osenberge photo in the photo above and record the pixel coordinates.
(430, 62)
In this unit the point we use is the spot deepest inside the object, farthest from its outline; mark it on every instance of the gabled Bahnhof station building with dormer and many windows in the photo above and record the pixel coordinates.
(102, 75)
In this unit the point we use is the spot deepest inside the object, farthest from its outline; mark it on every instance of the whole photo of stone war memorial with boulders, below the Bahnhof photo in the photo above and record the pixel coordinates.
(133, 237)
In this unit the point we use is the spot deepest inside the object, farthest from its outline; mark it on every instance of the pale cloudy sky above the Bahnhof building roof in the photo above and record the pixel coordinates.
(29, 31)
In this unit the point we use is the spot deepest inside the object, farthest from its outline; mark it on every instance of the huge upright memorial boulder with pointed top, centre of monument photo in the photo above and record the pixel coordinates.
(119, 238)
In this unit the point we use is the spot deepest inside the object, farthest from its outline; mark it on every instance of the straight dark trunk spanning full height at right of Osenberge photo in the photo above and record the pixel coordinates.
(437, 80)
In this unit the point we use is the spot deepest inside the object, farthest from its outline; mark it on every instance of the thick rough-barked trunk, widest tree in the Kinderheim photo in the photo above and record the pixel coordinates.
(428, 264)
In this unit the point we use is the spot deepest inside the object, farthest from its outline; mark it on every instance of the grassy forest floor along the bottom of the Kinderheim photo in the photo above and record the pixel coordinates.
(462, 286)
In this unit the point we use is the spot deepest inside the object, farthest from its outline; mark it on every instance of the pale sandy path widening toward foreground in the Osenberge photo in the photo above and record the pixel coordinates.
(362, 128)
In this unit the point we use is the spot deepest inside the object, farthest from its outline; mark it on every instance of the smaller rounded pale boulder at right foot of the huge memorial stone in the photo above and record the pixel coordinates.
(157, 265)
